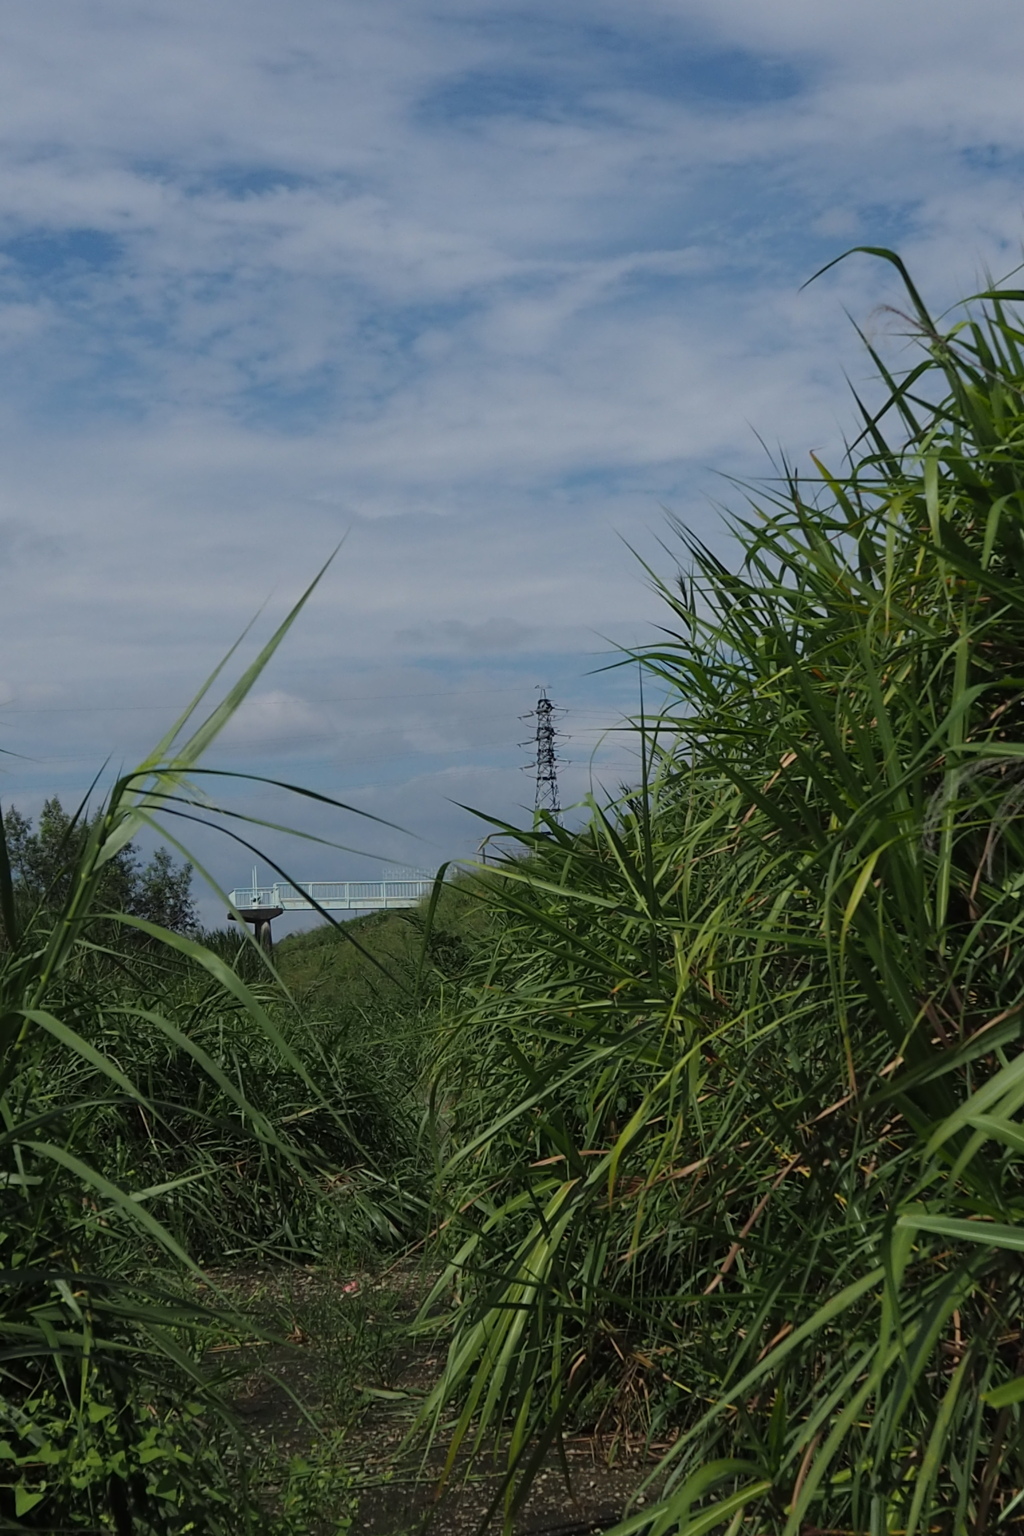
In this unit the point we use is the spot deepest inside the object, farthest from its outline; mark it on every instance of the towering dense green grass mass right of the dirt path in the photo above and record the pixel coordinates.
(735, 1101)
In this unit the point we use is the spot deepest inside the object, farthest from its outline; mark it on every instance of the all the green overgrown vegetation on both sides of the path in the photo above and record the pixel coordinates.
(721, 1140)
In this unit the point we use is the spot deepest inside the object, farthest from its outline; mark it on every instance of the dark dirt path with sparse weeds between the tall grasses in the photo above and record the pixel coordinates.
(351, 1363)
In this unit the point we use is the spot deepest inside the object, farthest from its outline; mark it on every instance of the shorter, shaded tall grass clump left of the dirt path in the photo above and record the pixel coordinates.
(154, 1111)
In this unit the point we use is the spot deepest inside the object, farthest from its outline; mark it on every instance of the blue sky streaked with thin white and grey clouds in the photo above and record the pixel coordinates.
(475, 291)
